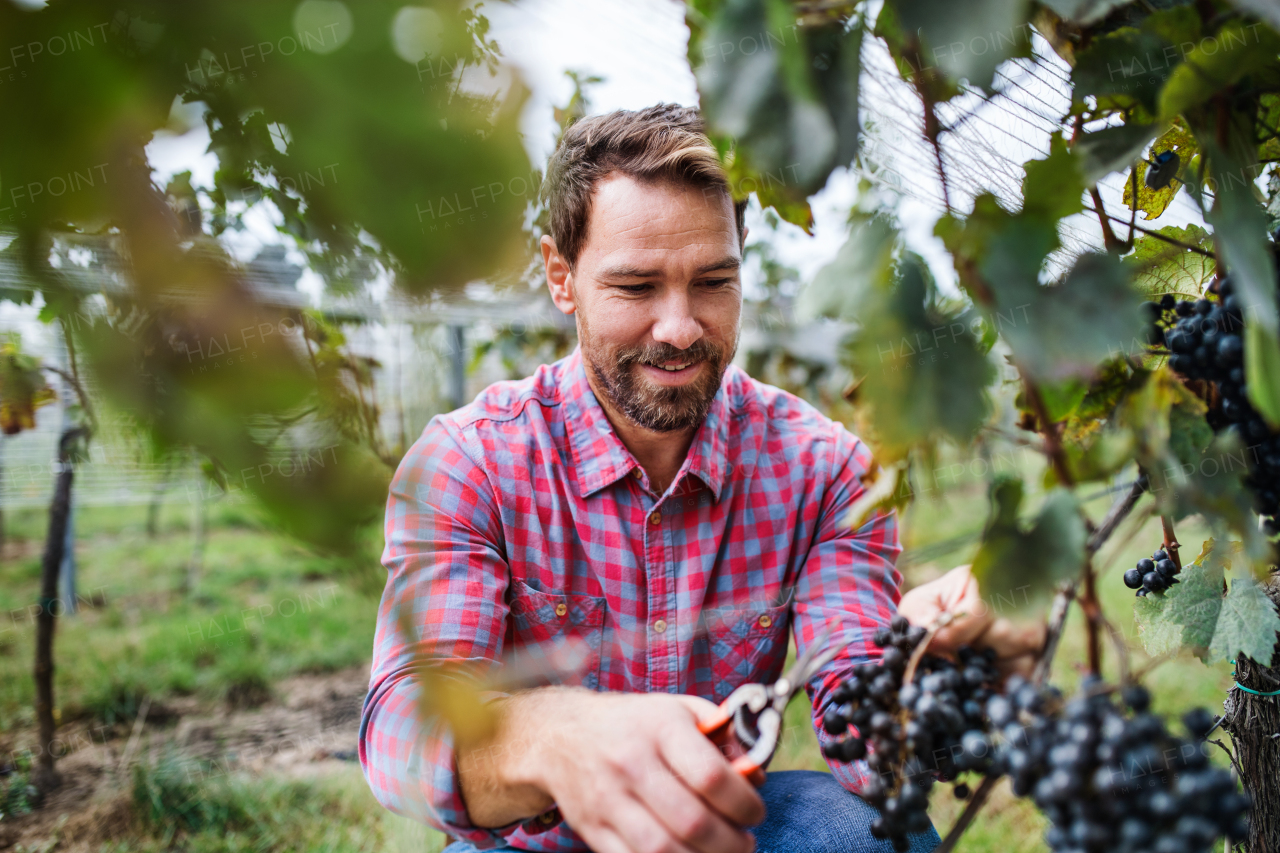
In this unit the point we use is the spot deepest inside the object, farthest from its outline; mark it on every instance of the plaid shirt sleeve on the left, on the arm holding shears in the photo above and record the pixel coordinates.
(447, 581)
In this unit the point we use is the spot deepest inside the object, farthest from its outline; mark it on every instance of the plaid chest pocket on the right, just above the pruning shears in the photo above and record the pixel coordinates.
(744, 646)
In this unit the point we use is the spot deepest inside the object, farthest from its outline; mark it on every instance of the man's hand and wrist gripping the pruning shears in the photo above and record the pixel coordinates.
(630, 773)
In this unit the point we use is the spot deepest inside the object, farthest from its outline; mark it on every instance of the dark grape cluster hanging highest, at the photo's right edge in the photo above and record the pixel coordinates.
(1205, 340)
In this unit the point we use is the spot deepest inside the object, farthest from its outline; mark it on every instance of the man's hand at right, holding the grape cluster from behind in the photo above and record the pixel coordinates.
(973, 624)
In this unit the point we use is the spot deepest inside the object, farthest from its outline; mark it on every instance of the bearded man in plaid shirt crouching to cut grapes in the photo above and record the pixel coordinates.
(652, 504)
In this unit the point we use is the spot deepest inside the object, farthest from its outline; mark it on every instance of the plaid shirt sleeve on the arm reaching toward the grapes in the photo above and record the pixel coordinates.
(848, 582)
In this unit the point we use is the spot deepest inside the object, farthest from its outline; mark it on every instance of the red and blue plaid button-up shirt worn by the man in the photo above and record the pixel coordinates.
(522, 521)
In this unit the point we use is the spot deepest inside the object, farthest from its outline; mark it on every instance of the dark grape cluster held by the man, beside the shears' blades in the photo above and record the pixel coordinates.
(912, 735)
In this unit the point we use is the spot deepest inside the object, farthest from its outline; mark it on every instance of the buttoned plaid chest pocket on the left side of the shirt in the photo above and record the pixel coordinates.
(546, 623)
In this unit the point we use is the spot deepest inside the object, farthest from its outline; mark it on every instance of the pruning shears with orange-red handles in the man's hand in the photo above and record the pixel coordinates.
(753, 713)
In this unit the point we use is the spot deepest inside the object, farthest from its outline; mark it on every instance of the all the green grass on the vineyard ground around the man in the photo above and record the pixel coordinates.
(267, 608)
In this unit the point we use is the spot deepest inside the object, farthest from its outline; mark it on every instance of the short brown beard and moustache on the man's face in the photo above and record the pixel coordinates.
(661, 409)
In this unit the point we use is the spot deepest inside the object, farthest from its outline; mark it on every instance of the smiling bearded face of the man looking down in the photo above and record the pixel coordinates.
(659, 298)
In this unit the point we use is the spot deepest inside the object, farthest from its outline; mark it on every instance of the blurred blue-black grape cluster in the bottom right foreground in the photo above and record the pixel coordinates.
(1110, 781)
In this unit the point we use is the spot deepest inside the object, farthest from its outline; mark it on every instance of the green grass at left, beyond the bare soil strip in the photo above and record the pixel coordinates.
(264, 608)
